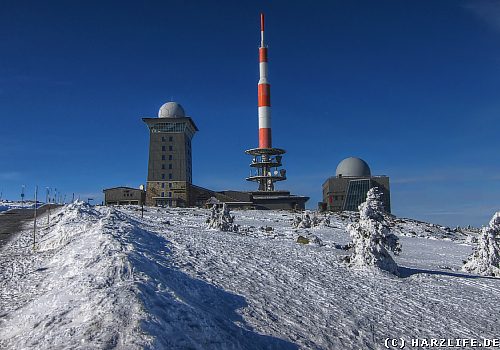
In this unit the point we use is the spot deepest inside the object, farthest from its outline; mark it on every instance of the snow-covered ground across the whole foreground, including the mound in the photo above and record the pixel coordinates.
(107, 278)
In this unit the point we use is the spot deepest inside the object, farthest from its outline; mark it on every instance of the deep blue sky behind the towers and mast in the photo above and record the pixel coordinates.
(412, 87)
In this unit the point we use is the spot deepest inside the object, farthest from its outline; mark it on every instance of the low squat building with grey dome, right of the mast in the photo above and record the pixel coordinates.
(347, 189)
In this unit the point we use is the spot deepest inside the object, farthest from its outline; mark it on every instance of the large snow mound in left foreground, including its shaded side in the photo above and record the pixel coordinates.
(97, 280)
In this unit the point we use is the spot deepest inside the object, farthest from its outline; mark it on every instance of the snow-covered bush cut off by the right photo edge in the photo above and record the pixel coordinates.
(485, 260)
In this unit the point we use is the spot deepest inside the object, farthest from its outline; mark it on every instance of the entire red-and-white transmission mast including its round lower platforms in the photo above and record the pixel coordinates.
(266, 160)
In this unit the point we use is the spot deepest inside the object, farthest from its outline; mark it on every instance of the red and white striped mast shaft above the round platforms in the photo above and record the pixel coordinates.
(264, 91)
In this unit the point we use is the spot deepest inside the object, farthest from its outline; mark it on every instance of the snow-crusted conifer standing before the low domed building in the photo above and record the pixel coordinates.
(372, 239)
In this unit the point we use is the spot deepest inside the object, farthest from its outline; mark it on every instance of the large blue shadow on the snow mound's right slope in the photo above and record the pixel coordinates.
(188, 313)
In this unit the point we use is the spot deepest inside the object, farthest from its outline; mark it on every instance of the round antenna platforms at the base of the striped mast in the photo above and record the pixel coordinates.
(265, 167)
